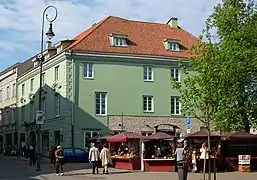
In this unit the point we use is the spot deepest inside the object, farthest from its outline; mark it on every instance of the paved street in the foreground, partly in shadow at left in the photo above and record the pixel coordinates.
(19, 170)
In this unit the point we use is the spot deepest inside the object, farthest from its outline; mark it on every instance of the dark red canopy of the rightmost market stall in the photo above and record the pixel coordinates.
(240, 135)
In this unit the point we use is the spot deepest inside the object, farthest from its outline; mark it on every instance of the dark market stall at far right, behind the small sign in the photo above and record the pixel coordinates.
(237, 144)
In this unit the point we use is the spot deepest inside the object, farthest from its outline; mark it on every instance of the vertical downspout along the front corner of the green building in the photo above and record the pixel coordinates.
(72, 98)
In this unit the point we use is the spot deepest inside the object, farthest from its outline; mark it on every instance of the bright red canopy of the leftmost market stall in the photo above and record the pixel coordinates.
(123, 137)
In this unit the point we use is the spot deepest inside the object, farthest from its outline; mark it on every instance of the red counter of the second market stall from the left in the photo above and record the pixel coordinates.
(161, 165)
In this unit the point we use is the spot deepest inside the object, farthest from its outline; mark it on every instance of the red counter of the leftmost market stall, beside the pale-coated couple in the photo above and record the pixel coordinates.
(126, 163)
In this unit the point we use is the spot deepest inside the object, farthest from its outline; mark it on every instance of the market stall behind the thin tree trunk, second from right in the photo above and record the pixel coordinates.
(195, 143)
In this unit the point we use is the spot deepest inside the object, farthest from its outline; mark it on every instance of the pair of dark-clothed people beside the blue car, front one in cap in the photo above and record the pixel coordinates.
(57, 159)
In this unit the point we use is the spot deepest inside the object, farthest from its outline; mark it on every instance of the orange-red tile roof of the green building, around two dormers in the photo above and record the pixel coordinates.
(145, 38)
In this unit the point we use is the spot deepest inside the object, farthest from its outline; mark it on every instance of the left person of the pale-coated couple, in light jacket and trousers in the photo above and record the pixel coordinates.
(94, 157)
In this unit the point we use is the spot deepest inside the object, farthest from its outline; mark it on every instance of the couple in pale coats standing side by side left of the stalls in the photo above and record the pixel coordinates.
(95, 156)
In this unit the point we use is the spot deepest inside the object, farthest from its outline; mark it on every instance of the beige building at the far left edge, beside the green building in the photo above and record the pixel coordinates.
(8, 102)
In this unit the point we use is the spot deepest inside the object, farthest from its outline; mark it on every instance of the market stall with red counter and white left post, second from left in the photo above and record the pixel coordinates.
(158, 153)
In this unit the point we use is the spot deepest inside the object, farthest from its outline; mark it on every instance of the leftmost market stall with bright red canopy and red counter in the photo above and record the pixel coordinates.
(124, 149)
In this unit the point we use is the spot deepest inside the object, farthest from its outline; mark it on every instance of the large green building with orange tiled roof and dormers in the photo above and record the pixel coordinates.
(115, 76)
